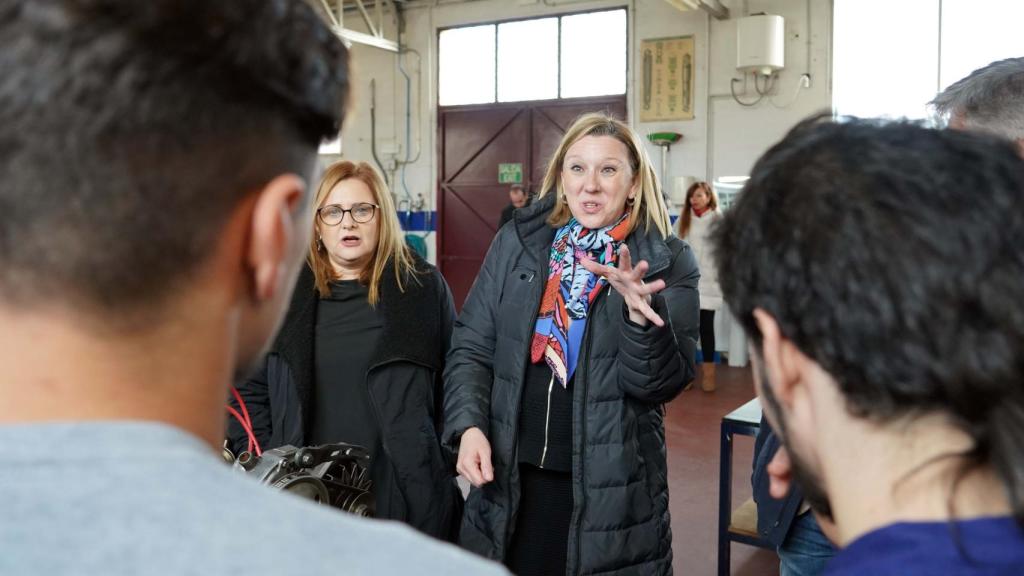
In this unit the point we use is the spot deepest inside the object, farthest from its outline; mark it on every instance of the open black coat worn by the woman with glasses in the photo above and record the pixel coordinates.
(405, 383)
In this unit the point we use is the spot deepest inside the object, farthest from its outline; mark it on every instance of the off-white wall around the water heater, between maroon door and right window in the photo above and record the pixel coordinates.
(726, 139)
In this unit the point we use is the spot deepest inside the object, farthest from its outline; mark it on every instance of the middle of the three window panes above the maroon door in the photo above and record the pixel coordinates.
(528, 61)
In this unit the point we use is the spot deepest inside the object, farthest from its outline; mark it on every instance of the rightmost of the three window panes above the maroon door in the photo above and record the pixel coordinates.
(594, 55)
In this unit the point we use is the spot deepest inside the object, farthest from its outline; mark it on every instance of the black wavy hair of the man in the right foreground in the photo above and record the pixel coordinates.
(891, 256)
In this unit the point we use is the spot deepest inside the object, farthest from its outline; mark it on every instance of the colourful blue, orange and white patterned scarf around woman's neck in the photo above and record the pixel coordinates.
(571, 291)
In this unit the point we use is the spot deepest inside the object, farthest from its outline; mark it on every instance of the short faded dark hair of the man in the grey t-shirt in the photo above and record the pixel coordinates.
(130, 131)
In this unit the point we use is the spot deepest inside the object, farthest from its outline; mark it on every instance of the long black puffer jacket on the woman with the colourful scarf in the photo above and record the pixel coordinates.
(625, 375)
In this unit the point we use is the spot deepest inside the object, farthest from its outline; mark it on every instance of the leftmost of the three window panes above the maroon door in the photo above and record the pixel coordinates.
(466, 66)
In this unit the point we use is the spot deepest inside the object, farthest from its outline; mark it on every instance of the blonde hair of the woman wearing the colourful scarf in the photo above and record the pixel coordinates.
(650, 205)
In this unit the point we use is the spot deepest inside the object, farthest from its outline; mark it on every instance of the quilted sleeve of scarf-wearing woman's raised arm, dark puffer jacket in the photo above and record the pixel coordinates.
(657, 363)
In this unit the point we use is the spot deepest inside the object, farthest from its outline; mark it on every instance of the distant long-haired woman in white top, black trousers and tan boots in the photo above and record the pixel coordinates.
(695, 226)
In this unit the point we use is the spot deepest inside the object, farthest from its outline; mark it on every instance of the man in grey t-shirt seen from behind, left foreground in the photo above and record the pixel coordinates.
(155, 169)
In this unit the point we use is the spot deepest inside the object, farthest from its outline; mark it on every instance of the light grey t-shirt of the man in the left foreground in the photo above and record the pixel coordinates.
(137, 499)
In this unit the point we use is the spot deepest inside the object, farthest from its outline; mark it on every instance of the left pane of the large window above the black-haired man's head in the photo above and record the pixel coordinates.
(886, 57)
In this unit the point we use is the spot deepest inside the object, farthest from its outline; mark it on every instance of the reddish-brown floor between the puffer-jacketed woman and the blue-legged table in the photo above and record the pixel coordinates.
(693, 433)
